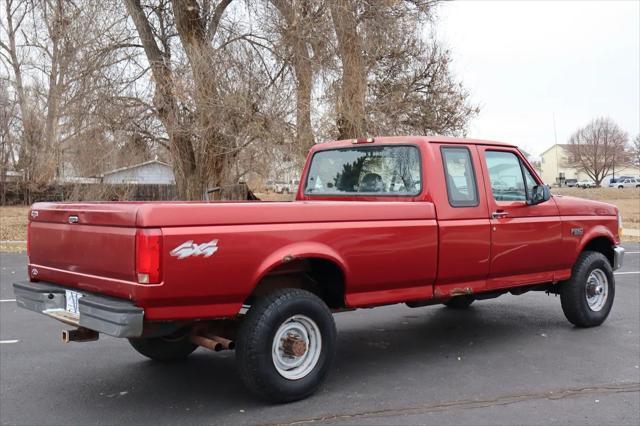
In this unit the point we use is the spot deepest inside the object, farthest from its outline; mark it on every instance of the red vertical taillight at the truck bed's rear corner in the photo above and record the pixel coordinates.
(149, 256)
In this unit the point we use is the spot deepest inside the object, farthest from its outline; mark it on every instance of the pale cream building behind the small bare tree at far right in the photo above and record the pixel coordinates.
(556, 168)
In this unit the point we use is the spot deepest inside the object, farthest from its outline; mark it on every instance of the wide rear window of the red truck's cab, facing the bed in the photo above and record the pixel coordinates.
(378, 170)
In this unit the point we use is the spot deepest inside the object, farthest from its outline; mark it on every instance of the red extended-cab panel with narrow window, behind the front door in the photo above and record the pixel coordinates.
(464, 238)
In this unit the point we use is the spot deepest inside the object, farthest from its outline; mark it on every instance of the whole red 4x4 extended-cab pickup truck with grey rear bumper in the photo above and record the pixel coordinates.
(415, 220)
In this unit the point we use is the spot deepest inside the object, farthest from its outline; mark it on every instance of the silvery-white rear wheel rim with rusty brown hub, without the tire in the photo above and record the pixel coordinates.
(296, 347)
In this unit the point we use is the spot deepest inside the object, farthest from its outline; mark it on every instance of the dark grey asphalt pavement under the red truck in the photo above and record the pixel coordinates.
(510, 360)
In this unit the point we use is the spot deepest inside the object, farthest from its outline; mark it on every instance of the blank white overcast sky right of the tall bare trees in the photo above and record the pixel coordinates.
(525, 61)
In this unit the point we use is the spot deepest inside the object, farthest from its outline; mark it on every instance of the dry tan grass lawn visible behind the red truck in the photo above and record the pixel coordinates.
(13, 220)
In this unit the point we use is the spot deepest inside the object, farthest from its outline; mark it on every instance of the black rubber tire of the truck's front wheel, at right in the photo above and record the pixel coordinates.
(573, 292)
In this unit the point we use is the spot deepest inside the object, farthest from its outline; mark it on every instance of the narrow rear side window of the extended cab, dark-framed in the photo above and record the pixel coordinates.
(460, 177)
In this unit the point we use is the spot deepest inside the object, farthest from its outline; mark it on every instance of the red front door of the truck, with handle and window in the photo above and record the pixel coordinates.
(525, 238)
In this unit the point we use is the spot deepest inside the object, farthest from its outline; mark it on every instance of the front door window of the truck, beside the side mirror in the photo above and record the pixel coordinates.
(507, 176)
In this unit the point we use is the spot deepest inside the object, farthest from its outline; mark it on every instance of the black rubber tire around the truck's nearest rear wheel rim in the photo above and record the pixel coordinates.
(255, 338)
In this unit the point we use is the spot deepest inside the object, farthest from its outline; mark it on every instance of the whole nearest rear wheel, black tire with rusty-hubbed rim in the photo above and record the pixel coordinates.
(285, 345)
